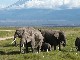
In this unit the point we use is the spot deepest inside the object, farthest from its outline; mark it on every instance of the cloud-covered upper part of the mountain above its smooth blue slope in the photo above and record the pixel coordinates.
(46, 4)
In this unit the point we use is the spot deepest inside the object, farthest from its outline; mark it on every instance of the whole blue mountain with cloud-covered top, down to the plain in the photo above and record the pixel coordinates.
(41, 12)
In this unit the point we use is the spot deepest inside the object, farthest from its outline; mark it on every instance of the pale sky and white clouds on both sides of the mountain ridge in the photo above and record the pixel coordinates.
(42, 3)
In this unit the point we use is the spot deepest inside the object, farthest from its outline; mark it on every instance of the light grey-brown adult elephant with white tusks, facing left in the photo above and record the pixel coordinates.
(29, 36)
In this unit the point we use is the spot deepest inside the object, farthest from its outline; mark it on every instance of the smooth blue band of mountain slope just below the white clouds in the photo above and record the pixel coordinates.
(40, 14)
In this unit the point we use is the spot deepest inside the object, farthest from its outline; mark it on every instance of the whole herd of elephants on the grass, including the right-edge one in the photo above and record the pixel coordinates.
(40, 39)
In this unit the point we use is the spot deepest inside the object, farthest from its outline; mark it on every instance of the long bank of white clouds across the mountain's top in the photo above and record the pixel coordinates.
(52, 4)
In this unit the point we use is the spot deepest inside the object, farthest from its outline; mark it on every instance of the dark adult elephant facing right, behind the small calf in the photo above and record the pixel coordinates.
(54, 38)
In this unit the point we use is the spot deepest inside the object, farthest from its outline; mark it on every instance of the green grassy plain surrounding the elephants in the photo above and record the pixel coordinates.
(9, 52)
